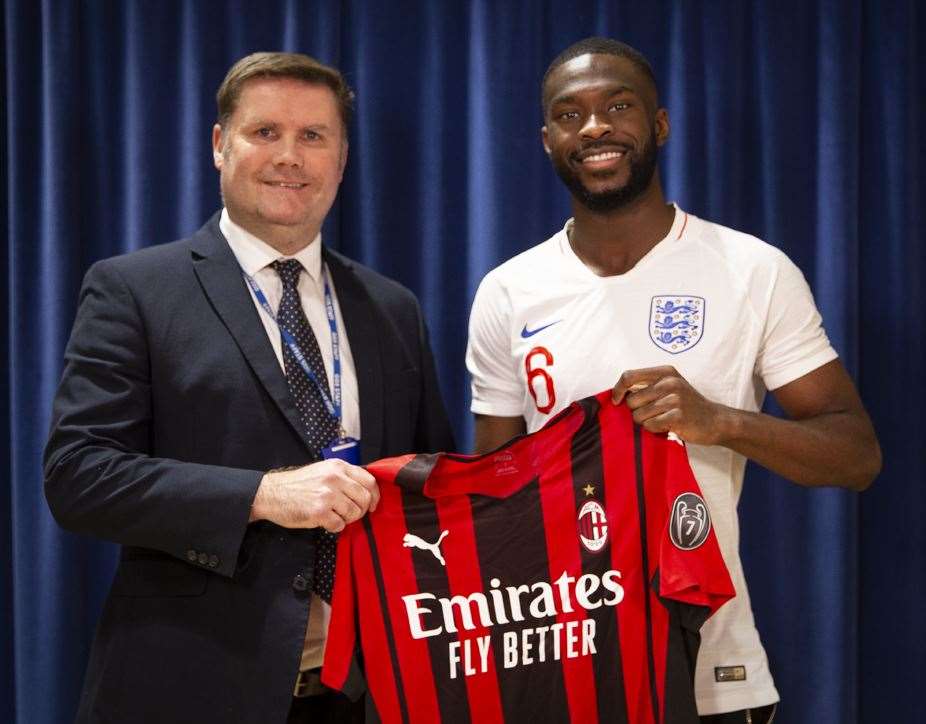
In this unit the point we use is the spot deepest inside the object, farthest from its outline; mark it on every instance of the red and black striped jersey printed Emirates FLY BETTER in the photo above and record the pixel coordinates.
(561, 578)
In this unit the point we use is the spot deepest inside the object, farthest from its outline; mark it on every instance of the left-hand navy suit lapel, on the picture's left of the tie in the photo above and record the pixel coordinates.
(218, 272)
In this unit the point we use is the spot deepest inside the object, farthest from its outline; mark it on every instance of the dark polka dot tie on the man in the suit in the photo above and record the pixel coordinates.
(320, 426)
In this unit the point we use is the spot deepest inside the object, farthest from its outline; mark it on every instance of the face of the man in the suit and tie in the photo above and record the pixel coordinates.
(281, 158)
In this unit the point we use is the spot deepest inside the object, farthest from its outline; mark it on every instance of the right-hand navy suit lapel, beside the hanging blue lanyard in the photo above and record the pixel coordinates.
(363, 335)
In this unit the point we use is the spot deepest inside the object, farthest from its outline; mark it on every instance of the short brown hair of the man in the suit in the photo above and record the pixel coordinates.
(282, 65)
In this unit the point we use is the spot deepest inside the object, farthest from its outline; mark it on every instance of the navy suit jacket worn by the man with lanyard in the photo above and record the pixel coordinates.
(171, 407)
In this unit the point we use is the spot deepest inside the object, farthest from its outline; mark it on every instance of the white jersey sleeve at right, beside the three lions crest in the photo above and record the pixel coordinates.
(793, 340)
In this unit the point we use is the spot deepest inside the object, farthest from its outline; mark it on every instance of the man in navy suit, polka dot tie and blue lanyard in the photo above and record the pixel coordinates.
(196, 370)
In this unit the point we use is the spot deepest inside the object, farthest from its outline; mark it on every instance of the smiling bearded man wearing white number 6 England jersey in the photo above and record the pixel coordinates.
(690, 322)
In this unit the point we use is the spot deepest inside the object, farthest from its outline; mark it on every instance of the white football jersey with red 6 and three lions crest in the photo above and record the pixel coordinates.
(731, 313)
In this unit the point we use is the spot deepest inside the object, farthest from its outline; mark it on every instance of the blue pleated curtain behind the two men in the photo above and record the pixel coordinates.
(801, 122)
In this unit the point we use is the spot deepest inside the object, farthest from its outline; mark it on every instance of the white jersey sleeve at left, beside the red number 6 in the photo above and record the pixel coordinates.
(496, 387)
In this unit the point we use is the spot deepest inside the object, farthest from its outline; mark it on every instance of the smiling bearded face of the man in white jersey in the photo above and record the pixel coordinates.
(603, 129)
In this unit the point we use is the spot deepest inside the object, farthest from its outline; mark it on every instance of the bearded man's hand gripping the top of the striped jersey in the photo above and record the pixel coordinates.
(663, 401)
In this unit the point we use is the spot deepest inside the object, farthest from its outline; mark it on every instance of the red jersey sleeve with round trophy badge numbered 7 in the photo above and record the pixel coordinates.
(691, 566)
